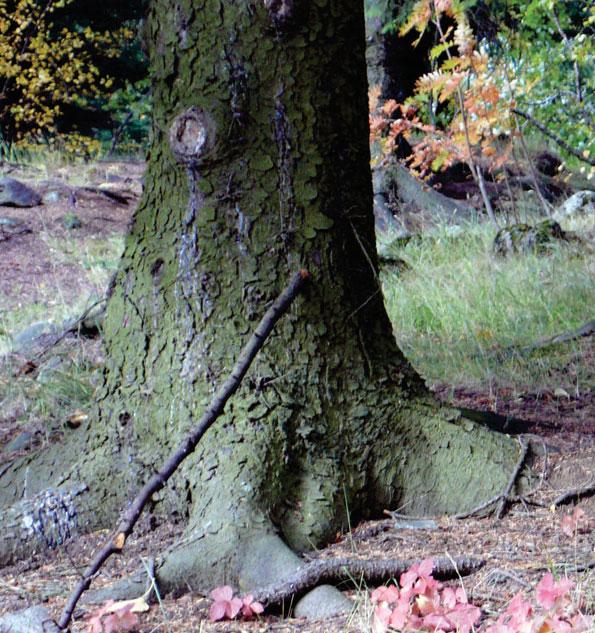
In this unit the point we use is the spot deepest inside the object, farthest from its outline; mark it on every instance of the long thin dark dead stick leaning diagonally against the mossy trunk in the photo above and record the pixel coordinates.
(128, 519)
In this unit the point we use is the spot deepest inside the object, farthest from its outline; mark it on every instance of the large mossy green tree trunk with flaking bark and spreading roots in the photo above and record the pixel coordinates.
(265, 107)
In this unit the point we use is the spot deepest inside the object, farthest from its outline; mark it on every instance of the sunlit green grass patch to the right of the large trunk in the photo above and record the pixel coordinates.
(458, 304)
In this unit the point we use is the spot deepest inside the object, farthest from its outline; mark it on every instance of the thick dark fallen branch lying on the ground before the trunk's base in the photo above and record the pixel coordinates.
(373, 571)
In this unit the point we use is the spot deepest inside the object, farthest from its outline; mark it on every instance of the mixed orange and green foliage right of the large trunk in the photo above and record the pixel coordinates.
(463, 110)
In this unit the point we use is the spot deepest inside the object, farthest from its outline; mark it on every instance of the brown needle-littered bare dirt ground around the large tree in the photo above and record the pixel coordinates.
(517, 549)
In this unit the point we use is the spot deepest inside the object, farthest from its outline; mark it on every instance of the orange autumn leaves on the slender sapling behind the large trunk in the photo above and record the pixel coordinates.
(479, 128)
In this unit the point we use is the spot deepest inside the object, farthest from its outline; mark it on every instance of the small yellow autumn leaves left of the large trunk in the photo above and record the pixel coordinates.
(45, 67)
